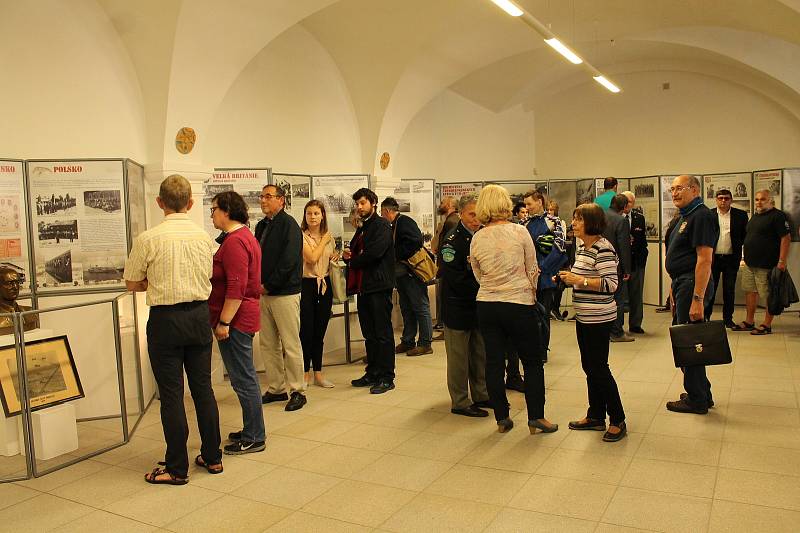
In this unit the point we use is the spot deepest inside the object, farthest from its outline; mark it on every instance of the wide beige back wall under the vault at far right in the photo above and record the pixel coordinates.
(702, 124)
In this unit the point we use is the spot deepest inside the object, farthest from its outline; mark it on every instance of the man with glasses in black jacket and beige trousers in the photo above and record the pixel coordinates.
(281, 275)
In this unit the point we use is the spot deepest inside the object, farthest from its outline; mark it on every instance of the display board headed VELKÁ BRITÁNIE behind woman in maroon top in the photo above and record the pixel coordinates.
(248, 182)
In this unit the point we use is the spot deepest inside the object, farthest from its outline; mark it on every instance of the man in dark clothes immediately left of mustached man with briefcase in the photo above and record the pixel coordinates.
(638, 226)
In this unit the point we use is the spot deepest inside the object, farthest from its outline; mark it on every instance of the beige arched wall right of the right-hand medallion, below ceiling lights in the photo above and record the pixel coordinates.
(453, 139)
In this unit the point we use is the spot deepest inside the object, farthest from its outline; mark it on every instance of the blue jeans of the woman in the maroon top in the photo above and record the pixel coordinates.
(237, 353)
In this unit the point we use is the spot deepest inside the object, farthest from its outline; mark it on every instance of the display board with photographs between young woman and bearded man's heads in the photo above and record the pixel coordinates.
(336, 192)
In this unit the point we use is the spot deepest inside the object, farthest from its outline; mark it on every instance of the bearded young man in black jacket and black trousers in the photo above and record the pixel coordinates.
(371, 254)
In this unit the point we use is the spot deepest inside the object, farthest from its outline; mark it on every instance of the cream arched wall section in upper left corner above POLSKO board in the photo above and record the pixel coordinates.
(68, 89)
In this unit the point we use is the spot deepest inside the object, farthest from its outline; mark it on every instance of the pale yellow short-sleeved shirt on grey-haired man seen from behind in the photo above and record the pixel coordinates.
(175, 258)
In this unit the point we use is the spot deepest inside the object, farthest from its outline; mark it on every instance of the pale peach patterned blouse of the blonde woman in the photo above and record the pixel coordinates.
(503, 261)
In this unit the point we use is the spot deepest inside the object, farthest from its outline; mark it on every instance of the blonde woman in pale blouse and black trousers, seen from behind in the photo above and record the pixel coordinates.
(503, 261)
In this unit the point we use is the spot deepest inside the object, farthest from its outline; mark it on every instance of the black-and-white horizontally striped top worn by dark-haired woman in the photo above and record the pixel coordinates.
(598, 261)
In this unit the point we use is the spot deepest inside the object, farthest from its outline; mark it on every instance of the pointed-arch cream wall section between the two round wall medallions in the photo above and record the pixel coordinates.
(289, 109)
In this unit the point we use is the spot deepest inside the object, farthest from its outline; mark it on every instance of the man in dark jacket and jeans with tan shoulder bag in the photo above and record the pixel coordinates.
(414, 303)
